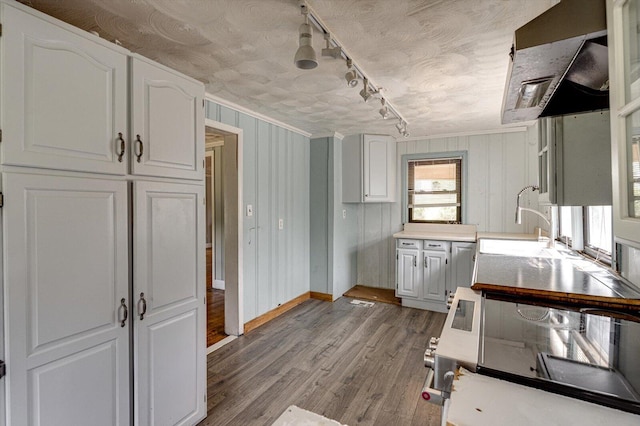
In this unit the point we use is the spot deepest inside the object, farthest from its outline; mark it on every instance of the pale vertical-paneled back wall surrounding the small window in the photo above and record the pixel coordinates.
(499, 166)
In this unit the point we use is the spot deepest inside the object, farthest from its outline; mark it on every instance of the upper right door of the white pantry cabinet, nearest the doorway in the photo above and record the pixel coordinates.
(167, 123)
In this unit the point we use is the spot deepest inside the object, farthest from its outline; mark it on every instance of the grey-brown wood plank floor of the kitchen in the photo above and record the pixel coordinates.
(356, 365)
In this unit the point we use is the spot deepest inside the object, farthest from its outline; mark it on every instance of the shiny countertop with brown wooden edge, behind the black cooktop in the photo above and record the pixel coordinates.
(555, 276)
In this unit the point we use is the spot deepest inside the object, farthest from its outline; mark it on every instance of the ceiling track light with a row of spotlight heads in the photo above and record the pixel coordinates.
(305, 58)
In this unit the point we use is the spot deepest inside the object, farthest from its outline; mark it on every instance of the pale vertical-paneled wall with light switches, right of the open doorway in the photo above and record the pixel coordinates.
(276, 184)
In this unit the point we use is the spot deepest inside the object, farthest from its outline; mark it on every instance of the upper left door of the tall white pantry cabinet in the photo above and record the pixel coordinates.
(64, 98)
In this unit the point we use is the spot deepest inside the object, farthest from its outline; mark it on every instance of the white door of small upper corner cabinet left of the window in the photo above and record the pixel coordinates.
(379, 168)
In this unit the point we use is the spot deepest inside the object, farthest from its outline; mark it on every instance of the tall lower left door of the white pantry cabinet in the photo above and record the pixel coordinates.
(66, 287)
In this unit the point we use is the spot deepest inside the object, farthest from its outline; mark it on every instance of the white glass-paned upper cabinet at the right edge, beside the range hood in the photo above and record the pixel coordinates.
(623, 23)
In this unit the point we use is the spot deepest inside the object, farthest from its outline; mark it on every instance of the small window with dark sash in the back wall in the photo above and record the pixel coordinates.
(434, 190)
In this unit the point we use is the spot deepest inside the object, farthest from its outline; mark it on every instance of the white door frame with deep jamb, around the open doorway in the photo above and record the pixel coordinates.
(233, 256)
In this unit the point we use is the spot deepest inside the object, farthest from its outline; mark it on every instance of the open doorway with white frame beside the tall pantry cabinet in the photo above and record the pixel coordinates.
(223, 171)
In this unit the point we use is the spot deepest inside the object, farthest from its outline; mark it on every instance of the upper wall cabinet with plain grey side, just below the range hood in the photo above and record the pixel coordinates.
(572, 159)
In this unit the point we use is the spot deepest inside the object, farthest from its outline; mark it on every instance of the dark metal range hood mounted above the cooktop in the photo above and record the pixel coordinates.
(559, 63)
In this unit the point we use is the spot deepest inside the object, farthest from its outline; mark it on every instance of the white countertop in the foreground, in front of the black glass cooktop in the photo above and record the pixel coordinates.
(480, 400)
